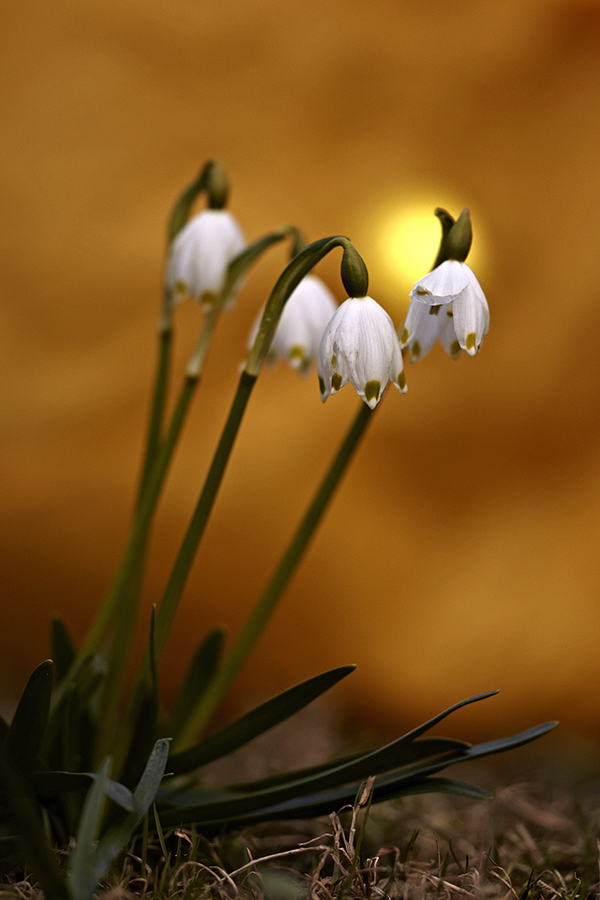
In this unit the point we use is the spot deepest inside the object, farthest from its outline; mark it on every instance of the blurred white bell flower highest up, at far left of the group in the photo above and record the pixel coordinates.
(200, 254)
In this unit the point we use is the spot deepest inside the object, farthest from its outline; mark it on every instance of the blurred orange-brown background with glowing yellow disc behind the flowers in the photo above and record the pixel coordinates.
(461, 552)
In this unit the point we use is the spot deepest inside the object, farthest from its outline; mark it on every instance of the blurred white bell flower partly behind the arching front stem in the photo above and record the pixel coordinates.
(305, 315)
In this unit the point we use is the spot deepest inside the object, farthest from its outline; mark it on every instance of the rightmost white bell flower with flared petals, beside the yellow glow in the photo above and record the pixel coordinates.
(448, 304)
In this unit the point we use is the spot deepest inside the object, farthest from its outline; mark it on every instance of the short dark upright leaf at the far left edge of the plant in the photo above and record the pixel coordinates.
(27, 728)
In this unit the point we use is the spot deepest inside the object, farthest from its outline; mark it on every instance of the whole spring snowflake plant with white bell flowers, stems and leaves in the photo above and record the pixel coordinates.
(86, 762)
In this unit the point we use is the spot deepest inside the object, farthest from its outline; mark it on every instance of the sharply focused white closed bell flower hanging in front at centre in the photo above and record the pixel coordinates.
(360, 345)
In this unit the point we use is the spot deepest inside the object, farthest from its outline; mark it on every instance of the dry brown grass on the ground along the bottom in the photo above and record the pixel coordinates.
(533, 840)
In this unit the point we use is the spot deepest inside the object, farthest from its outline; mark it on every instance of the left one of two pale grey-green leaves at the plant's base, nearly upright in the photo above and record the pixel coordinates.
(83, 871)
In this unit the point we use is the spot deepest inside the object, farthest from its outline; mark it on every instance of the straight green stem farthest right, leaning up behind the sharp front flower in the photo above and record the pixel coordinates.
(267, 604)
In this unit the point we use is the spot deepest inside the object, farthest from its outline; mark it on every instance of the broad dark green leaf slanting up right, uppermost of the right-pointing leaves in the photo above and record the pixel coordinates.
(256, 722)
